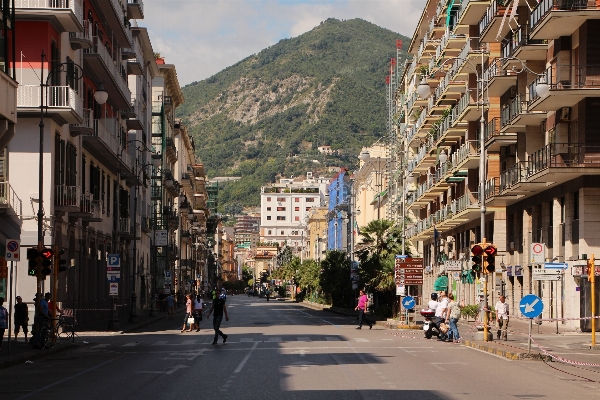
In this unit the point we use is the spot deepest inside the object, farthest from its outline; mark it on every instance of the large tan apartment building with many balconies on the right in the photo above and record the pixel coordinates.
(525, 69)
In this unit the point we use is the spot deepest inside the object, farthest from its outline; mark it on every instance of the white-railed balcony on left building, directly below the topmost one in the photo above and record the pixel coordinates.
(62, 103)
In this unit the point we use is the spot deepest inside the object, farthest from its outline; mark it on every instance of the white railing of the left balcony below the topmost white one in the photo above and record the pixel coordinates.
(55, 97)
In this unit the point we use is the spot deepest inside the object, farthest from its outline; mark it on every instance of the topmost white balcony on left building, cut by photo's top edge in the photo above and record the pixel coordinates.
(65, 15)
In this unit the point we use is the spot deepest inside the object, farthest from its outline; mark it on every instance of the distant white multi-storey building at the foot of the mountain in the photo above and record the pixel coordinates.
(285, 205)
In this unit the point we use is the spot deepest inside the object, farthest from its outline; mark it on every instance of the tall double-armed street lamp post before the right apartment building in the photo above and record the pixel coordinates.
(424, 91)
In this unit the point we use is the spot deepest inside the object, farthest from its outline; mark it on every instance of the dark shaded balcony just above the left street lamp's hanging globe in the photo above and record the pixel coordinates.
(98, 59)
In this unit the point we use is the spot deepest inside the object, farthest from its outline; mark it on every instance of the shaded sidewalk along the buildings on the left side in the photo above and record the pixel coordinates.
(20, 351)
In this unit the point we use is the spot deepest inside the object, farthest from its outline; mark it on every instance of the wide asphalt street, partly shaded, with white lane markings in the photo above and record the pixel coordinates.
(283, 350)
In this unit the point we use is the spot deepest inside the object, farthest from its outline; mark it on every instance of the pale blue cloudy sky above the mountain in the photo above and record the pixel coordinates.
(202, 37)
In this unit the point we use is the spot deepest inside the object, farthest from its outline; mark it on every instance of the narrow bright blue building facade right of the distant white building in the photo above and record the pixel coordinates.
(338, 215)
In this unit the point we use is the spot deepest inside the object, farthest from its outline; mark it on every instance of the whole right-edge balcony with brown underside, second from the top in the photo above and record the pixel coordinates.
(569, 84)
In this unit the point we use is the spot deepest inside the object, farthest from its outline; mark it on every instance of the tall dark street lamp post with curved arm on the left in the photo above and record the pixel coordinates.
(100, 96)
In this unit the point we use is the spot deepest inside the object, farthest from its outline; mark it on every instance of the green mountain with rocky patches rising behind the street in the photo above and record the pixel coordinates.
(266, 115)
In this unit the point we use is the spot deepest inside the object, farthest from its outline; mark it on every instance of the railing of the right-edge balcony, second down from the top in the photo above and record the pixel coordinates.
(567, 76)
